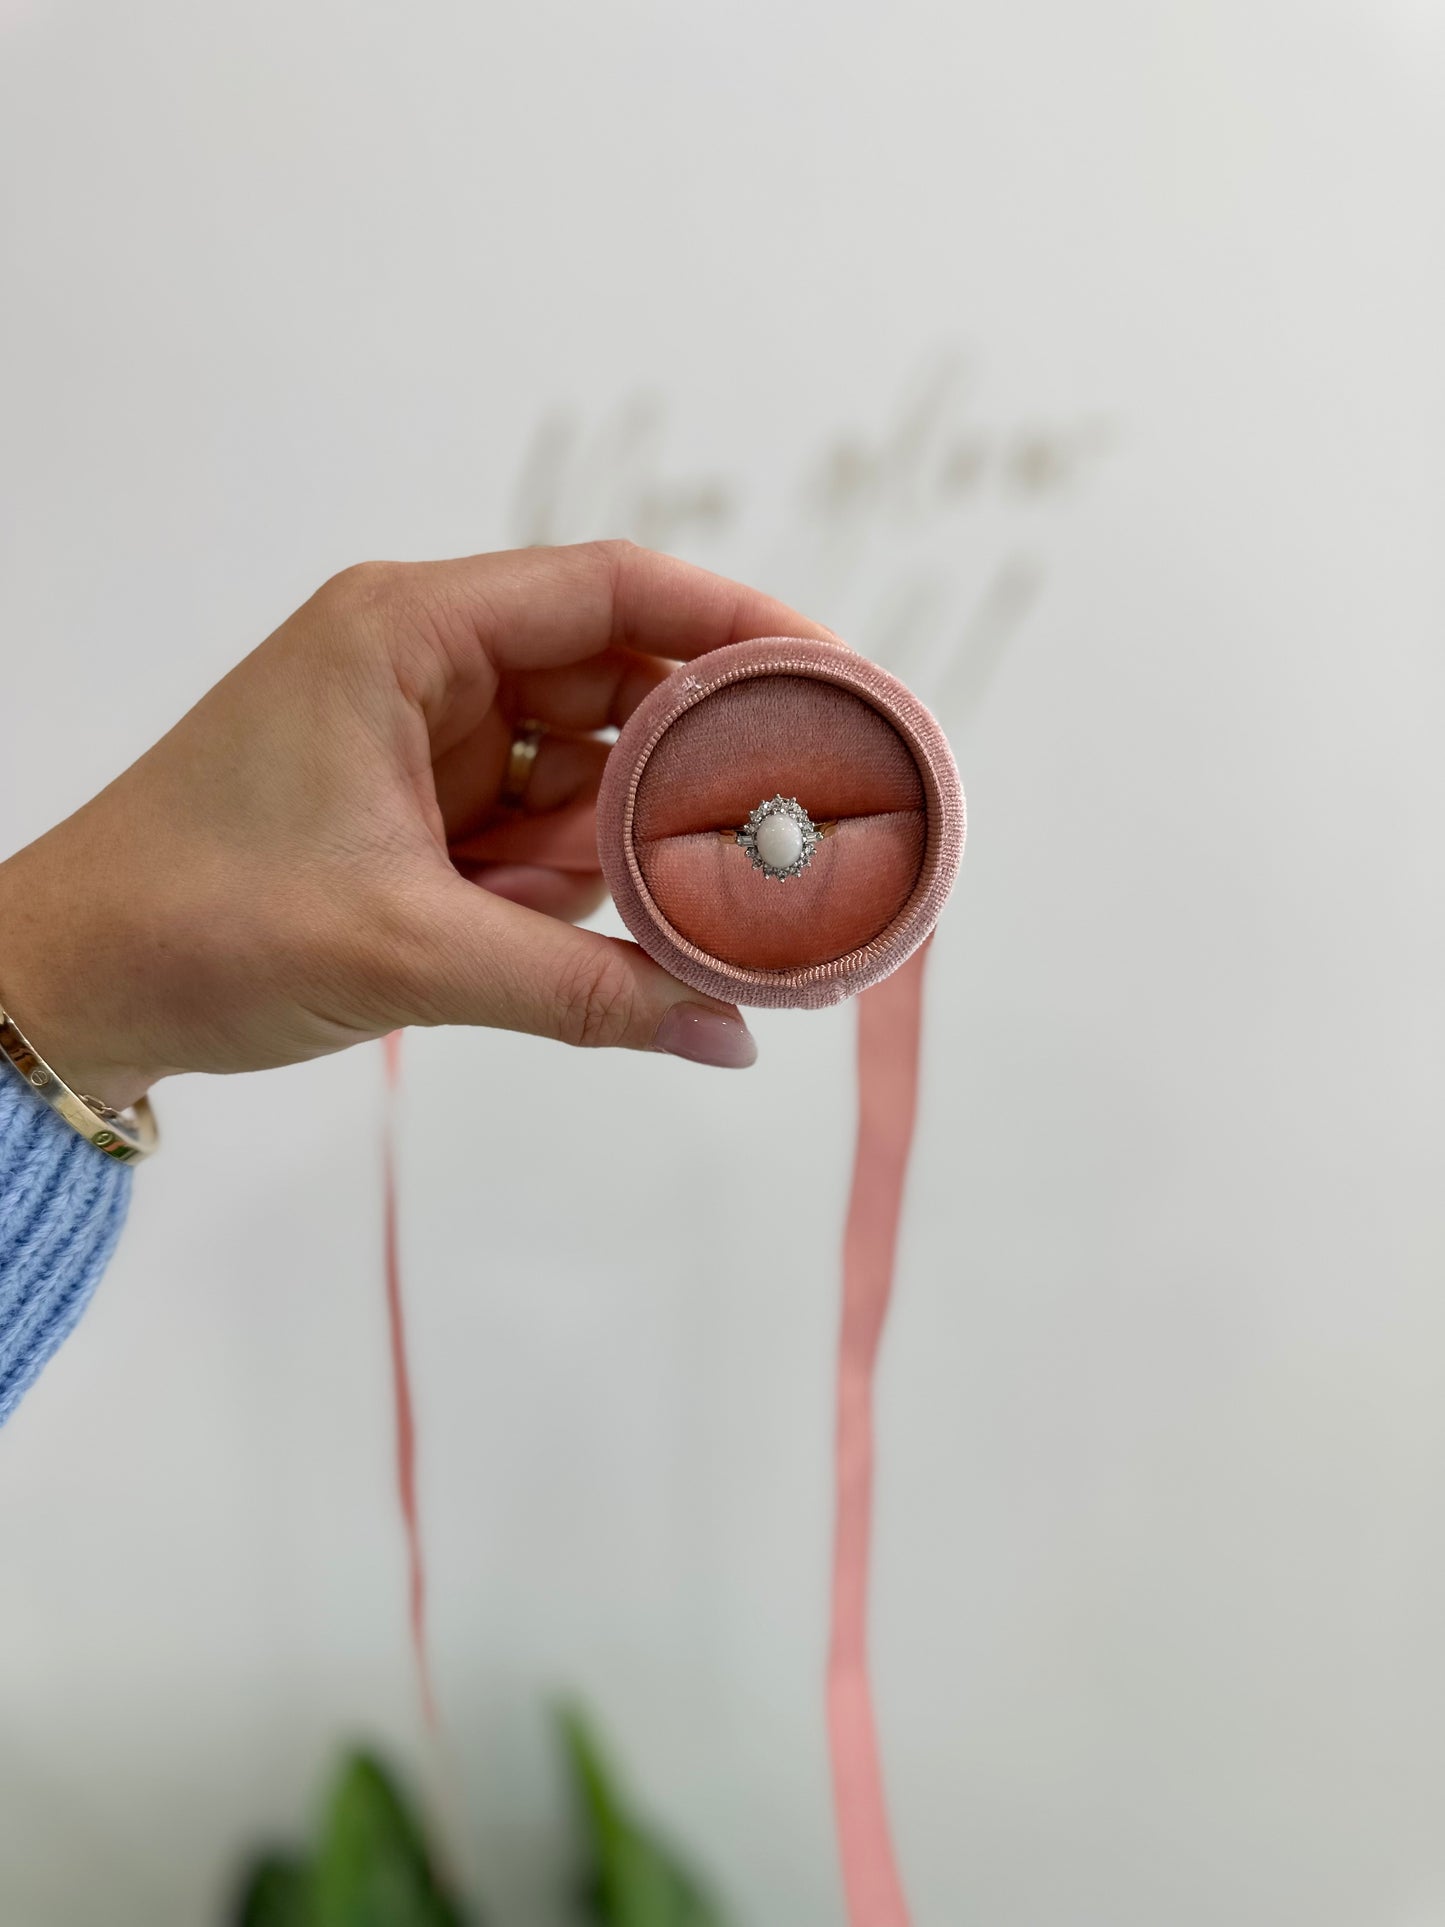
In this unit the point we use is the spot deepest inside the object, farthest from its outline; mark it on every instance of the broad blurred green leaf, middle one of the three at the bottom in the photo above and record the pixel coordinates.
(375, 1868)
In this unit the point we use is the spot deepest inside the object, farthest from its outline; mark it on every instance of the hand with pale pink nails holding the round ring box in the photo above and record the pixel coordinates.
(303, 862)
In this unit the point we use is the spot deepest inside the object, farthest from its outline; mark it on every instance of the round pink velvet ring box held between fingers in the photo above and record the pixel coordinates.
(799, 720)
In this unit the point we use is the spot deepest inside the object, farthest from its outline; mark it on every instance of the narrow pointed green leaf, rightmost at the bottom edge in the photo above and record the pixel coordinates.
(635, 1880)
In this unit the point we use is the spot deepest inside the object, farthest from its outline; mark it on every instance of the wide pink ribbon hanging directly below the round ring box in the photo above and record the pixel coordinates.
(889, 1032)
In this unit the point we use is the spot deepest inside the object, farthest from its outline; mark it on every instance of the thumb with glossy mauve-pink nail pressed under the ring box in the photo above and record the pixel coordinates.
(486, 961)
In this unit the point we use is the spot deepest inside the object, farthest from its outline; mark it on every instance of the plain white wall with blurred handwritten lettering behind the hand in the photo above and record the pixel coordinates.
(1159, 292)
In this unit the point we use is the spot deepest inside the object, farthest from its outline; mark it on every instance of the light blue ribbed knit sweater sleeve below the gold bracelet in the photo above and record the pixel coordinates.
(63, 1207)
